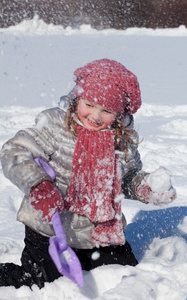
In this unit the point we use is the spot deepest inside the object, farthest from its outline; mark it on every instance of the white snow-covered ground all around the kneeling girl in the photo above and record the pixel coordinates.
(36, 66)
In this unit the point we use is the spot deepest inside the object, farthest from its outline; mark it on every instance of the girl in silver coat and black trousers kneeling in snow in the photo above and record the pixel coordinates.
(92, 147)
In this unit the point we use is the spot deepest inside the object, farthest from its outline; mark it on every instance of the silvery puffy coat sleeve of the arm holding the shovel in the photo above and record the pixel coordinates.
(17, 158)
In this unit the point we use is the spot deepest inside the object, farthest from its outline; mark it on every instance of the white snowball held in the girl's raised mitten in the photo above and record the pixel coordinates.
(160, 180)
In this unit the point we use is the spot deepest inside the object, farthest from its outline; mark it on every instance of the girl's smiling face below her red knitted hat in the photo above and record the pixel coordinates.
(93, 116)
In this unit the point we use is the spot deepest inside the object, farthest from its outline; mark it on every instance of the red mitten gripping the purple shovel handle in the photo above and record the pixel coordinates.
(46, 198)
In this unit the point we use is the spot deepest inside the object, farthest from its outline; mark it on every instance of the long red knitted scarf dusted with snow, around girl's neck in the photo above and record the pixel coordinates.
(95, 184)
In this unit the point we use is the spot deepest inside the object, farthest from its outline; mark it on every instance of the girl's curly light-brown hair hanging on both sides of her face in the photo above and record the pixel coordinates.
(123, 136)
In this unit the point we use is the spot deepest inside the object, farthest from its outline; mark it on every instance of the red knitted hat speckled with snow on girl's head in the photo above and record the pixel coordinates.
(110, 84)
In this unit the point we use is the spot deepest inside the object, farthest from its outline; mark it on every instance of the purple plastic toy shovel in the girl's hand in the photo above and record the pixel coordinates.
(63, 256)
